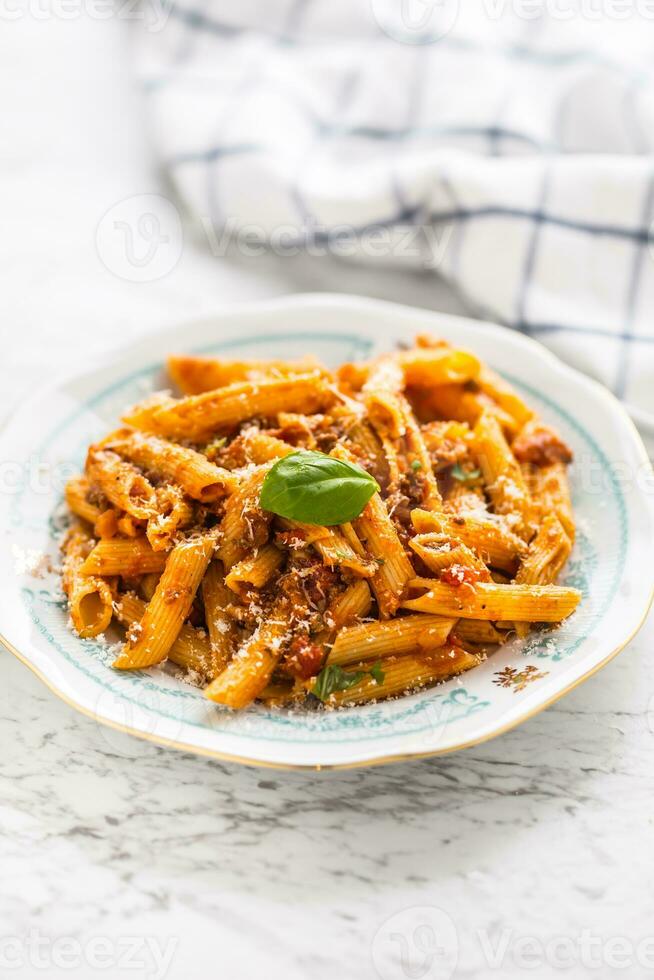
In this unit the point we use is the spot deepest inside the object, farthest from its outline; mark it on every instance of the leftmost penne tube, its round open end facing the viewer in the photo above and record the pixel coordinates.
(89, 596)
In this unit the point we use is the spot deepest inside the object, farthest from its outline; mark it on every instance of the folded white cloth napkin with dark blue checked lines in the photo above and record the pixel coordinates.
(502, 144)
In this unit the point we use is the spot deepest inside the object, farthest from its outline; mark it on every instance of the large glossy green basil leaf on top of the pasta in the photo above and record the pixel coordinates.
(316, 489)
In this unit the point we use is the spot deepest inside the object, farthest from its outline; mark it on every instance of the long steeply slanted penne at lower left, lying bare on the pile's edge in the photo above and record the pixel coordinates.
(170, 604)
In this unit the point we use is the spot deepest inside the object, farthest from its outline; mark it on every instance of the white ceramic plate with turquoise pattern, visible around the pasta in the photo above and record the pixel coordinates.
(45, 441)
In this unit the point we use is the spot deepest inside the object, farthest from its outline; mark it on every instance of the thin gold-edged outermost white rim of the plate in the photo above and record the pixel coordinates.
(321, 301)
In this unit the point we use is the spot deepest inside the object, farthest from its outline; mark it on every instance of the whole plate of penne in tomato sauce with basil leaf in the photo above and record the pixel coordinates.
(323, 531)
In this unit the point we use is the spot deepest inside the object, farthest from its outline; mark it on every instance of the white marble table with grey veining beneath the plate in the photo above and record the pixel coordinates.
(525, 856)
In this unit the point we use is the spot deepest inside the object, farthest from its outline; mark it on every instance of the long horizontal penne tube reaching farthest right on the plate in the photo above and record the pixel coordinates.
(487, 600)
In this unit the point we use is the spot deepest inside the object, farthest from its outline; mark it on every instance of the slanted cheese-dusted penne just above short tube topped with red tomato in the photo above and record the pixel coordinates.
(487, 536)
